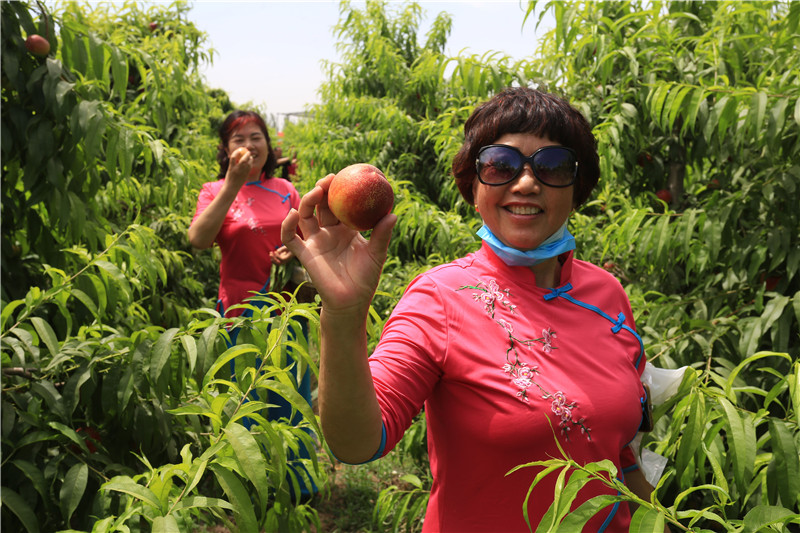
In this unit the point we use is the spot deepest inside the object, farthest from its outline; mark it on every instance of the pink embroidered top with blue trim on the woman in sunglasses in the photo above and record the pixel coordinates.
(503, 368)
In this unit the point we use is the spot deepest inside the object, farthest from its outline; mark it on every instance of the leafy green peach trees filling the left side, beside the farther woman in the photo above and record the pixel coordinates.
(117, 413)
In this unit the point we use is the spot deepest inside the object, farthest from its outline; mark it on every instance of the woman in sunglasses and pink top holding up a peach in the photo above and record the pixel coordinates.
(511, 350)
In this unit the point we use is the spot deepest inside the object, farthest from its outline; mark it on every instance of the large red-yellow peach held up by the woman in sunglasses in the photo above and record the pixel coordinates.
(360, 195)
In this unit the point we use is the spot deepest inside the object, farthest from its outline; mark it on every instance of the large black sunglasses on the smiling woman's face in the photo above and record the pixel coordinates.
(554, 166)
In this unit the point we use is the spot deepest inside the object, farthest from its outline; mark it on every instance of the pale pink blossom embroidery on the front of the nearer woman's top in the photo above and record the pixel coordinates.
(523, 376)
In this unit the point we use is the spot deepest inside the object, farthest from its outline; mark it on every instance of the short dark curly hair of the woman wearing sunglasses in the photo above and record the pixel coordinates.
(525, 110)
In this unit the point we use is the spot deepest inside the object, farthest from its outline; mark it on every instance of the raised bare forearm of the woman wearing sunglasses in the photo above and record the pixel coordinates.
(349, 411)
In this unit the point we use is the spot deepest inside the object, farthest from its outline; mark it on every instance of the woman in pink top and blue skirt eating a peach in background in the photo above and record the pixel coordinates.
(242, 212)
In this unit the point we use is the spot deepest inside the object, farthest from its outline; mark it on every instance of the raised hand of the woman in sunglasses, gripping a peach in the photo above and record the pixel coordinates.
(344, 266)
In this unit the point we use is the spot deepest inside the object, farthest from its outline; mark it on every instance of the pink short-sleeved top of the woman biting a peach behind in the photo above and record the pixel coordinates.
(252, 229)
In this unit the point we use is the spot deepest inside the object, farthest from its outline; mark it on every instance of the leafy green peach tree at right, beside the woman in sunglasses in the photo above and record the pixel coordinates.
(701, 99)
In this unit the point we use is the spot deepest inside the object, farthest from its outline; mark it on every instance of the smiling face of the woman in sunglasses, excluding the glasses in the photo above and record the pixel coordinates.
(524, 212)
